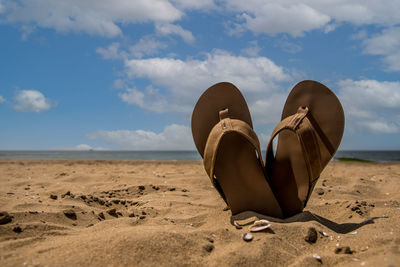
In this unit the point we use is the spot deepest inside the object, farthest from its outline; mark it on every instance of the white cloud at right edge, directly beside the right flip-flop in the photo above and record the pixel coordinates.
(371, 105)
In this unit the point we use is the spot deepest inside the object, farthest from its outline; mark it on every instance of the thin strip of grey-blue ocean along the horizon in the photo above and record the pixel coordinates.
(378, 156)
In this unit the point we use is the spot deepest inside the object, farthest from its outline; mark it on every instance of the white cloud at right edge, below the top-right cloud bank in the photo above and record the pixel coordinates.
(386, 44)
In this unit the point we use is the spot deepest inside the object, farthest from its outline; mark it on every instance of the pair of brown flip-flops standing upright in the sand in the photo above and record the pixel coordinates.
(309, 134)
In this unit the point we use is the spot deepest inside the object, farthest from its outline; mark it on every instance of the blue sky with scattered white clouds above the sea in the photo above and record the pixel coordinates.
(125, 75)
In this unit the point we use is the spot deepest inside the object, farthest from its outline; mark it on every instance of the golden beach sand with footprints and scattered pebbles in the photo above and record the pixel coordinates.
(133, 213)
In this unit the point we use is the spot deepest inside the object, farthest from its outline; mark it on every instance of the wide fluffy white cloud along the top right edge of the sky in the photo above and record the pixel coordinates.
(296, 18)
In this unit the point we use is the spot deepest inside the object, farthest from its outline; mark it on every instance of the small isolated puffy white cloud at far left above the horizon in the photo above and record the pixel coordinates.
(31, 101)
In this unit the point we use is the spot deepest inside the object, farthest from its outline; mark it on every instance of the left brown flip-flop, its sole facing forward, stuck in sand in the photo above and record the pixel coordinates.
(223, 134)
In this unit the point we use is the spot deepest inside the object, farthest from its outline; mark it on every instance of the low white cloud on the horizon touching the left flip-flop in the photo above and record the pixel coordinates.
(173, 137)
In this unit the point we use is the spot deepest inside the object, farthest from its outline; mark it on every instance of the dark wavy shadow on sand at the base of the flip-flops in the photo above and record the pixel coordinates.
(341, 228)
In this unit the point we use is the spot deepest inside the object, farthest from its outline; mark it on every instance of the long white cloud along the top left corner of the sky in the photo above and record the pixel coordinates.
(96, 17)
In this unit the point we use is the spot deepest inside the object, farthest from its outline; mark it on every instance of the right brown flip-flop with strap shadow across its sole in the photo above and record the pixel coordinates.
(309, 134)
